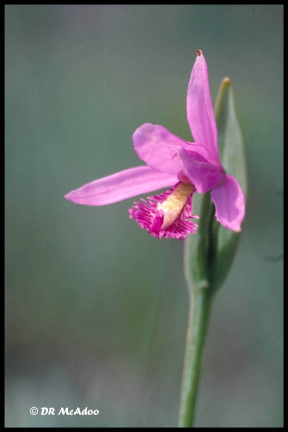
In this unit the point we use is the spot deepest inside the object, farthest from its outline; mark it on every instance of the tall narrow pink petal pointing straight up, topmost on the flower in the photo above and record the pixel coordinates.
(200, 112)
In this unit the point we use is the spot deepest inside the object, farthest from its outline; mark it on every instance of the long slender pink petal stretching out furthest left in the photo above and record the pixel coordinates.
(121, 185)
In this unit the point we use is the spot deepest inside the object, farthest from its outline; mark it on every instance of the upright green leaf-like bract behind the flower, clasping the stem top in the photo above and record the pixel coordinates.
(210, 253)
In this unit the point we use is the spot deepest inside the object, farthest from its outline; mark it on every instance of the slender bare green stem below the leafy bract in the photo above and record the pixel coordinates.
(200, 302)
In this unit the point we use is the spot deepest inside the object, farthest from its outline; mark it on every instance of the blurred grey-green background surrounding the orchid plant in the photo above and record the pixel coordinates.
(96, 309)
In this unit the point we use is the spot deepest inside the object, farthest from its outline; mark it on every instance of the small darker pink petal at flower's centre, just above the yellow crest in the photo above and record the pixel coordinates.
(201, 173)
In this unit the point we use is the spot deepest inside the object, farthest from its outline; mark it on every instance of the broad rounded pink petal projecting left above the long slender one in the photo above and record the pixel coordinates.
(157, 147)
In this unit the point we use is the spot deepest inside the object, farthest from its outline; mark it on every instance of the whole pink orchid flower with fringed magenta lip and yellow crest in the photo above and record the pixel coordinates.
(188, 167)
